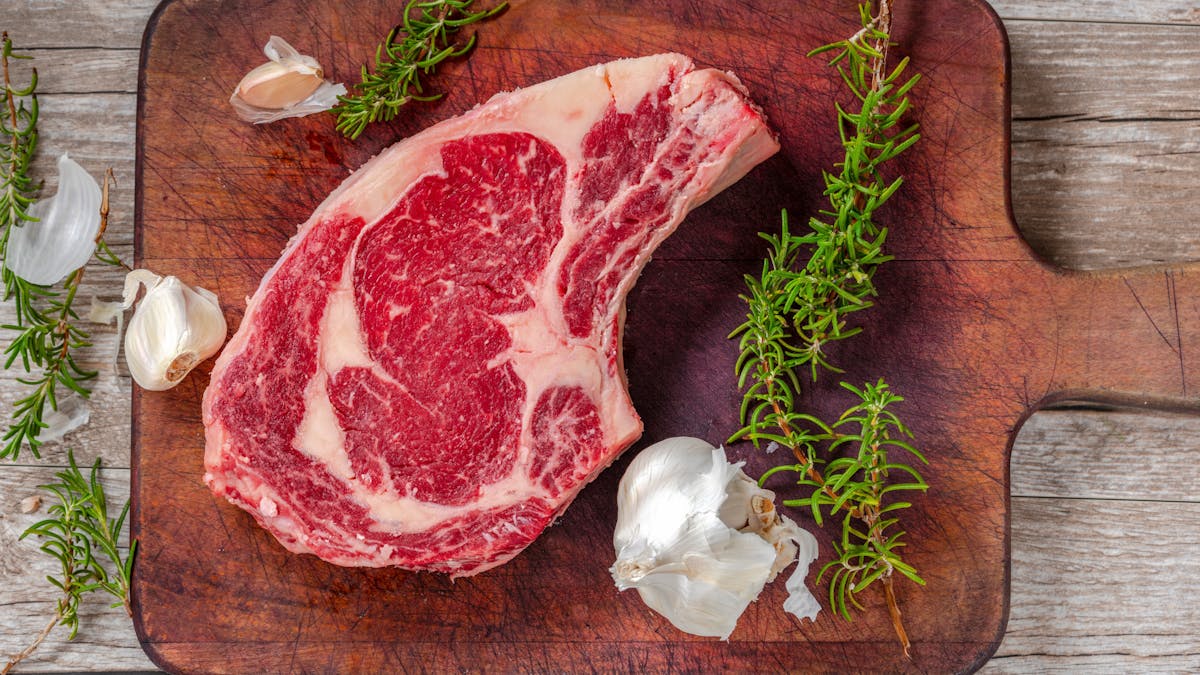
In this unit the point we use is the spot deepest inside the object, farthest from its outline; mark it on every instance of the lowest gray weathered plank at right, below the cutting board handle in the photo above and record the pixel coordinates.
(1103, 586)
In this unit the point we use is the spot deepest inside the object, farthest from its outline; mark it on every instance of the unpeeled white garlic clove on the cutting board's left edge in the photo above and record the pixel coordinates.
(175, 328)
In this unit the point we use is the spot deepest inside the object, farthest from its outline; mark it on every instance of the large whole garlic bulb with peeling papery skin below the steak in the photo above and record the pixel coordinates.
(699, 539)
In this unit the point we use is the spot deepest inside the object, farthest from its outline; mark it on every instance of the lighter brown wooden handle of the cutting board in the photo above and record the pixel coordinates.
(1127, 337)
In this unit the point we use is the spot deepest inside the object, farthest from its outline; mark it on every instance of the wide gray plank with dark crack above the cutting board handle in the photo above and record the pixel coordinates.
(1106, 148)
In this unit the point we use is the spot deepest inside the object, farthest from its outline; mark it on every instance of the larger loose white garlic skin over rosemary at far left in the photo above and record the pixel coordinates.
(64, 236)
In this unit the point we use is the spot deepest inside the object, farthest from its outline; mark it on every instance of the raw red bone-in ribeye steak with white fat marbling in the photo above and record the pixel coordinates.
(433, 371)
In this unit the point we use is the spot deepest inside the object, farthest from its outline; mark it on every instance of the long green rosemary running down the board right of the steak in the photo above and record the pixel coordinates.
(802, 302)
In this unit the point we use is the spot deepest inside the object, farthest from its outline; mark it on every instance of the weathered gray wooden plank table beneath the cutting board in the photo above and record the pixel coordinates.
(1106, 549)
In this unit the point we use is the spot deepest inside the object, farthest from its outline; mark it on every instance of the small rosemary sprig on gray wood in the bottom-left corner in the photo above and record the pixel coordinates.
(86, 542)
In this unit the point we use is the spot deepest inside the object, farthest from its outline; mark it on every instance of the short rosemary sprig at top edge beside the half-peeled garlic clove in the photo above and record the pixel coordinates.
(412, 50)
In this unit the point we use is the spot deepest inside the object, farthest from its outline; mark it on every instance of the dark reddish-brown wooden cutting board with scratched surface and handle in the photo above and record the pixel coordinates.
(970, 327)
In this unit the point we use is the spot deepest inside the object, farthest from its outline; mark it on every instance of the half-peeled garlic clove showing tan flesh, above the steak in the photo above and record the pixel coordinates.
(289, 86)
